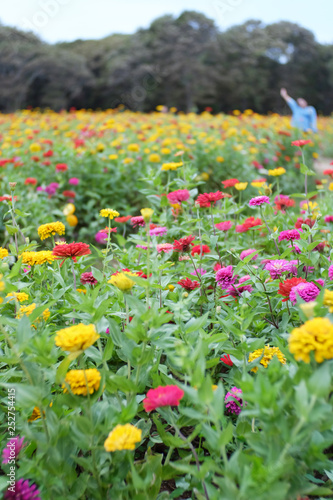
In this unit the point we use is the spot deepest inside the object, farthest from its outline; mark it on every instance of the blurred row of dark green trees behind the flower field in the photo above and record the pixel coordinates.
(184, 62)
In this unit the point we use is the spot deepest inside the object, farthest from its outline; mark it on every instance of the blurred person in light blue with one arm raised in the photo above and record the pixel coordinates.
(304, 116)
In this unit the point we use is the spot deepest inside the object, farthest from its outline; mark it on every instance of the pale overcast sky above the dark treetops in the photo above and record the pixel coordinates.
(67, 20)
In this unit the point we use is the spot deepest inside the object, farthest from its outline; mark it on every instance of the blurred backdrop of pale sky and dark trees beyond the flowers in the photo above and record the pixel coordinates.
(192, 55)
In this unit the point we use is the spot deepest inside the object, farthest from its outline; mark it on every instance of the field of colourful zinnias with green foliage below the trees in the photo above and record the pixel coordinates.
(166, 297)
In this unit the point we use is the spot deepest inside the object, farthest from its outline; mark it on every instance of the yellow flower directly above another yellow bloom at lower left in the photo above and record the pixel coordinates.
(76, 338)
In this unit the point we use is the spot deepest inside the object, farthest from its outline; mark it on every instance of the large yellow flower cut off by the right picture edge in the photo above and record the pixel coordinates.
(315, 335)
